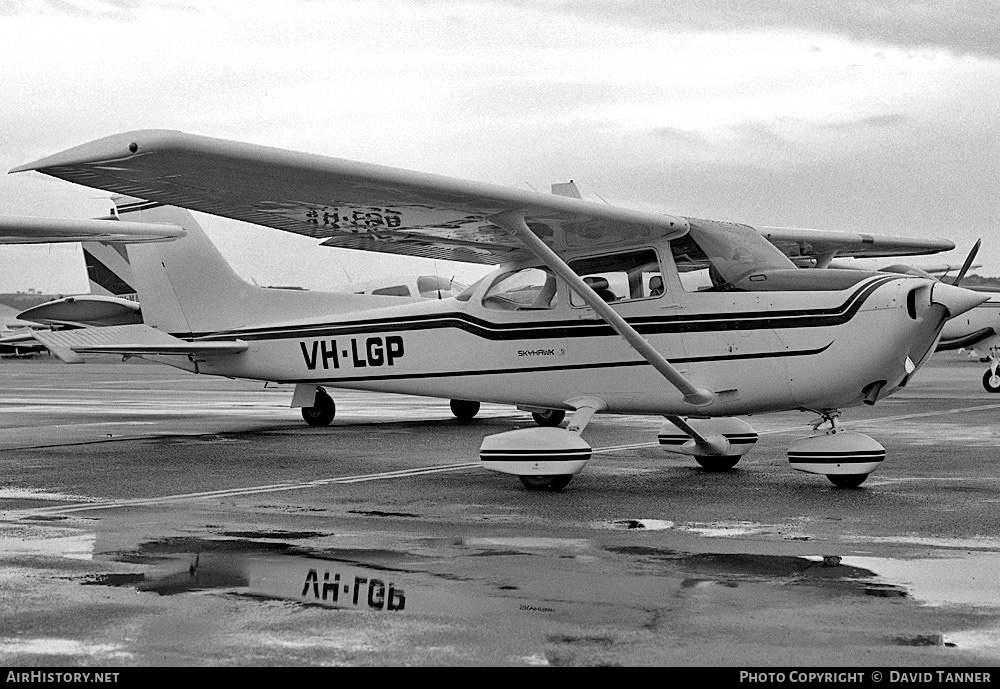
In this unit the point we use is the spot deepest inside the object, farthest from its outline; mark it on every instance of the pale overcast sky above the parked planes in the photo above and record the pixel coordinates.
(878, 115)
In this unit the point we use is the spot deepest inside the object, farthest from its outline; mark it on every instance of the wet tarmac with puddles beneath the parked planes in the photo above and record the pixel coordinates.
(150, 517)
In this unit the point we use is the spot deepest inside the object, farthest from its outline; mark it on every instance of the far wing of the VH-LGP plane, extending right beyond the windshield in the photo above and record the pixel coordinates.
(819, 247)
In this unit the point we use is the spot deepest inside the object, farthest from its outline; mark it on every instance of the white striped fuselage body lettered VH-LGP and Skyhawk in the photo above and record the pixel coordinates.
(757, 350)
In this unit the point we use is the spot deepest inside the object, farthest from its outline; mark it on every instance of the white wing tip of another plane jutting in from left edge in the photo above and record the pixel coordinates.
(24, 230)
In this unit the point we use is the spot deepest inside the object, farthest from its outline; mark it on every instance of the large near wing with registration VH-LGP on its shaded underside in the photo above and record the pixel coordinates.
(347, 204)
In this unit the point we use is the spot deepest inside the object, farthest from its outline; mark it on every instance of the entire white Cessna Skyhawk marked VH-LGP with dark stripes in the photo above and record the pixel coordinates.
(569, 320)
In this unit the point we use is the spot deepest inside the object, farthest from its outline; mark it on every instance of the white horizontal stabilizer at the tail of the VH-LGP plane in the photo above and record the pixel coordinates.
(128, 340)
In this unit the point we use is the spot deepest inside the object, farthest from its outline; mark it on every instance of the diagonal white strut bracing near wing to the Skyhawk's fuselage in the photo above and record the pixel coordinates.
(514, 223)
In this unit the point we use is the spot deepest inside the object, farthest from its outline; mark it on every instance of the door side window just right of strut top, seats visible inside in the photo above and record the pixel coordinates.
(620, 277)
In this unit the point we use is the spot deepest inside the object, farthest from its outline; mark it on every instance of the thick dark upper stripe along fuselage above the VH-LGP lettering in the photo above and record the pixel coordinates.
(646, 325)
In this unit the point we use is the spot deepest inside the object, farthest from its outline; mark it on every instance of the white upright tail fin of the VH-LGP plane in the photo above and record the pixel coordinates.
(187, 288)
